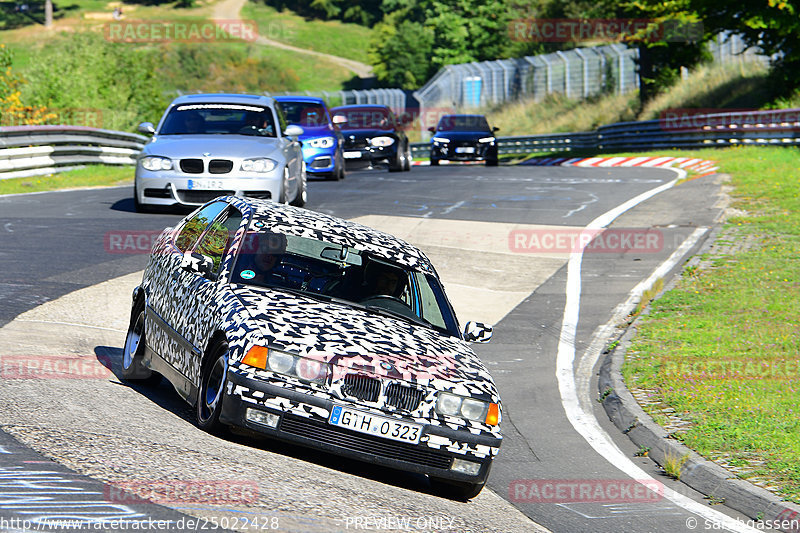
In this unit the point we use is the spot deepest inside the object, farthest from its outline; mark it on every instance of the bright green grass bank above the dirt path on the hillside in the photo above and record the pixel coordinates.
(329, 36)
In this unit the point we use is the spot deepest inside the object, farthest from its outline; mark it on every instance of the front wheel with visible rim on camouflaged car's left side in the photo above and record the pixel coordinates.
(213, 376)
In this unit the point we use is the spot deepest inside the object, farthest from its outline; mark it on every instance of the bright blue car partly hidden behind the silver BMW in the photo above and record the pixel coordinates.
(322, 142)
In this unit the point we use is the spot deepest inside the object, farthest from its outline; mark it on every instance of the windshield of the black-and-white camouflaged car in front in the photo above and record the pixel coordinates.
(334, 272)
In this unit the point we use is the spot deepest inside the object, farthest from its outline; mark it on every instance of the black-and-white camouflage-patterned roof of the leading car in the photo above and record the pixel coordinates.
(266, 215)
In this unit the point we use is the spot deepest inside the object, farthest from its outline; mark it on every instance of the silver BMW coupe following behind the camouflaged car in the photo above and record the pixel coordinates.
(209, 145)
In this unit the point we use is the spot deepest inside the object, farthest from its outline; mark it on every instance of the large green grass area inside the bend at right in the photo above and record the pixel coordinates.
(721, 348)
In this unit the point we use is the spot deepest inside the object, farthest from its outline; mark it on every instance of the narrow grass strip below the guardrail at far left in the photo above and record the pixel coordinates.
(90, 176)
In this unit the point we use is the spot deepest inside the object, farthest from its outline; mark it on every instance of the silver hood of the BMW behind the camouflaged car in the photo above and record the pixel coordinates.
(180, 146)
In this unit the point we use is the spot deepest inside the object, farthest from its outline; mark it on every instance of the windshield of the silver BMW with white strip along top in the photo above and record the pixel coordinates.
(230, 119)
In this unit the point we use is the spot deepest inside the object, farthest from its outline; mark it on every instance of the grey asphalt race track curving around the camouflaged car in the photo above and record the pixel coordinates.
(69, 259)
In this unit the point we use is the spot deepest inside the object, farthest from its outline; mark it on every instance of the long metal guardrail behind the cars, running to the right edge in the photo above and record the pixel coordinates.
(757, 128)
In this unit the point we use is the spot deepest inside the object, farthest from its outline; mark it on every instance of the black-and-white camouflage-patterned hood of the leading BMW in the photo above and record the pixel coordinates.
(356, 339)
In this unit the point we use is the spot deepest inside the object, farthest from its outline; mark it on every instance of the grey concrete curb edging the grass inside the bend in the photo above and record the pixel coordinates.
(704, 476)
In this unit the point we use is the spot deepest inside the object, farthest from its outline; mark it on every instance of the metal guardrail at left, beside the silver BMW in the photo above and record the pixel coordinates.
(37, 150)
